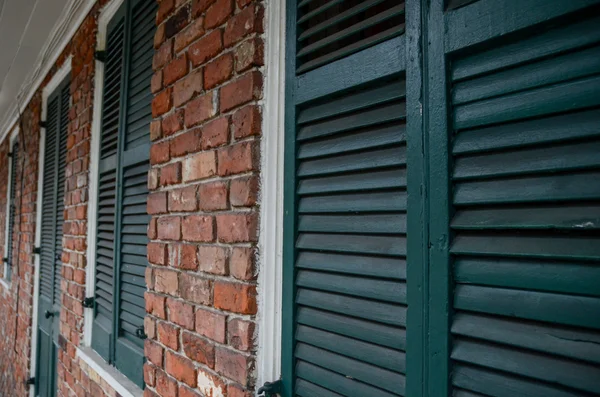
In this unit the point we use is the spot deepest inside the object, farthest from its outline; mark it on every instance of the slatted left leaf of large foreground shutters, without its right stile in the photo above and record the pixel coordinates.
(346, 240)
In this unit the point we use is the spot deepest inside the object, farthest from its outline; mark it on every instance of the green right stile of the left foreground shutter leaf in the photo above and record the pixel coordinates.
(417, 254)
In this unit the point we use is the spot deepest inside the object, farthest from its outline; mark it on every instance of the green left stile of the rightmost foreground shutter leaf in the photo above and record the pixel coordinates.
(437, 149)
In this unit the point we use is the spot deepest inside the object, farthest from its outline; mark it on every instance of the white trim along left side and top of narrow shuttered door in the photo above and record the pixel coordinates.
(56, 80)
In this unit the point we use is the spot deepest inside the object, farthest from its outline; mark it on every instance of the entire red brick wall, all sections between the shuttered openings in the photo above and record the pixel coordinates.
(204, 181)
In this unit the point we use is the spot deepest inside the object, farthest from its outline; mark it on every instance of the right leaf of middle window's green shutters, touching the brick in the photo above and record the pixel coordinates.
(135, 163)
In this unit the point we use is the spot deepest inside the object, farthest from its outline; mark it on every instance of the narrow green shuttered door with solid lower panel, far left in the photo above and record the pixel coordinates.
(53, 174)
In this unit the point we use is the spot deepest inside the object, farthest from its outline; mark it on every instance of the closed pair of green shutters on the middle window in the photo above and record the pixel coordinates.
(122, 216)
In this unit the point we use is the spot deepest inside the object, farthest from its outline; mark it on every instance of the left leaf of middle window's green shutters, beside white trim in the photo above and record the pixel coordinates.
(107, 186)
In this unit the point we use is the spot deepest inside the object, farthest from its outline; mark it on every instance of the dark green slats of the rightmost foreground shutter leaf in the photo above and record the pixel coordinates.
(526, 196)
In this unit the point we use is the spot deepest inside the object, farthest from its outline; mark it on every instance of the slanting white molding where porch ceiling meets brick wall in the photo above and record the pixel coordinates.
(69, 21)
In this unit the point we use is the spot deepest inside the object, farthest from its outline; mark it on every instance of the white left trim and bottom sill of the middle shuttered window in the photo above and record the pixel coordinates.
(109, 373)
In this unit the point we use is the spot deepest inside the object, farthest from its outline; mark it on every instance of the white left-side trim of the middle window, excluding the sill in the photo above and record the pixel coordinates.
(90, 280)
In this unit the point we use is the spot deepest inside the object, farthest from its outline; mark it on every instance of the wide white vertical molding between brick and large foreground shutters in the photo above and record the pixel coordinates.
(271, 220)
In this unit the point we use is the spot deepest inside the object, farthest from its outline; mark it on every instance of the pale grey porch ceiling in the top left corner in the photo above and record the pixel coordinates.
(27, 31)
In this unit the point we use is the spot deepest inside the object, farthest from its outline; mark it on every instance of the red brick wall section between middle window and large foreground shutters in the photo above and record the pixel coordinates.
(204, 182)
